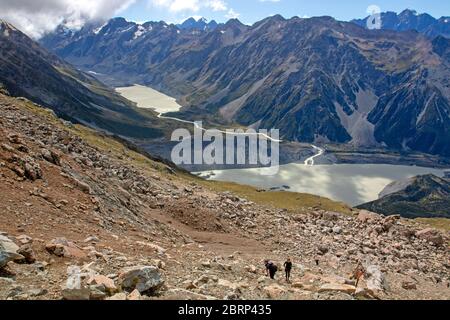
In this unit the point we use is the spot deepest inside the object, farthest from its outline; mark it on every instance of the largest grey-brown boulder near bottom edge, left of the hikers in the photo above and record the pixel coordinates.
(146, 279)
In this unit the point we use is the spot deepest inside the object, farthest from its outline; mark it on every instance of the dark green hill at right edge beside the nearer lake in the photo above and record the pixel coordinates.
(422, 196)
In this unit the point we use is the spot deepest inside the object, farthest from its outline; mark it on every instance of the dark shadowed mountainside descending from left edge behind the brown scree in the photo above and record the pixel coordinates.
(27, 70)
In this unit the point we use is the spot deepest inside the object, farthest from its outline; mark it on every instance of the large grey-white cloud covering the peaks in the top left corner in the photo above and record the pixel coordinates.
(38, 17)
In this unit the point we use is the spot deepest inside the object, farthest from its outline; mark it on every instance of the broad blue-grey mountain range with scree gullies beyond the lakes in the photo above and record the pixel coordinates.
(317, 80)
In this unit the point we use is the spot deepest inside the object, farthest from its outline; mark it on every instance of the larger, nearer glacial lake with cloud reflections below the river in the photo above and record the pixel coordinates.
(352, 184)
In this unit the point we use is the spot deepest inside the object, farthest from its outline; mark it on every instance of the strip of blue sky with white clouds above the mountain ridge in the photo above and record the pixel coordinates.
(249, 11)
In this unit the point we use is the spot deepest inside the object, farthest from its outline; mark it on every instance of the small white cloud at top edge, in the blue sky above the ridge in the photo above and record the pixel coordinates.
(176, 6)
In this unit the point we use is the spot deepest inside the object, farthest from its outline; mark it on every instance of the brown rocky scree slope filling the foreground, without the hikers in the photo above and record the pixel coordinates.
(139, 229)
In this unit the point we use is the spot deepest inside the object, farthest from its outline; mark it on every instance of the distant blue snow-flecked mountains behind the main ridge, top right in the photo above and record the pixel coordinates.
(410, 20)
